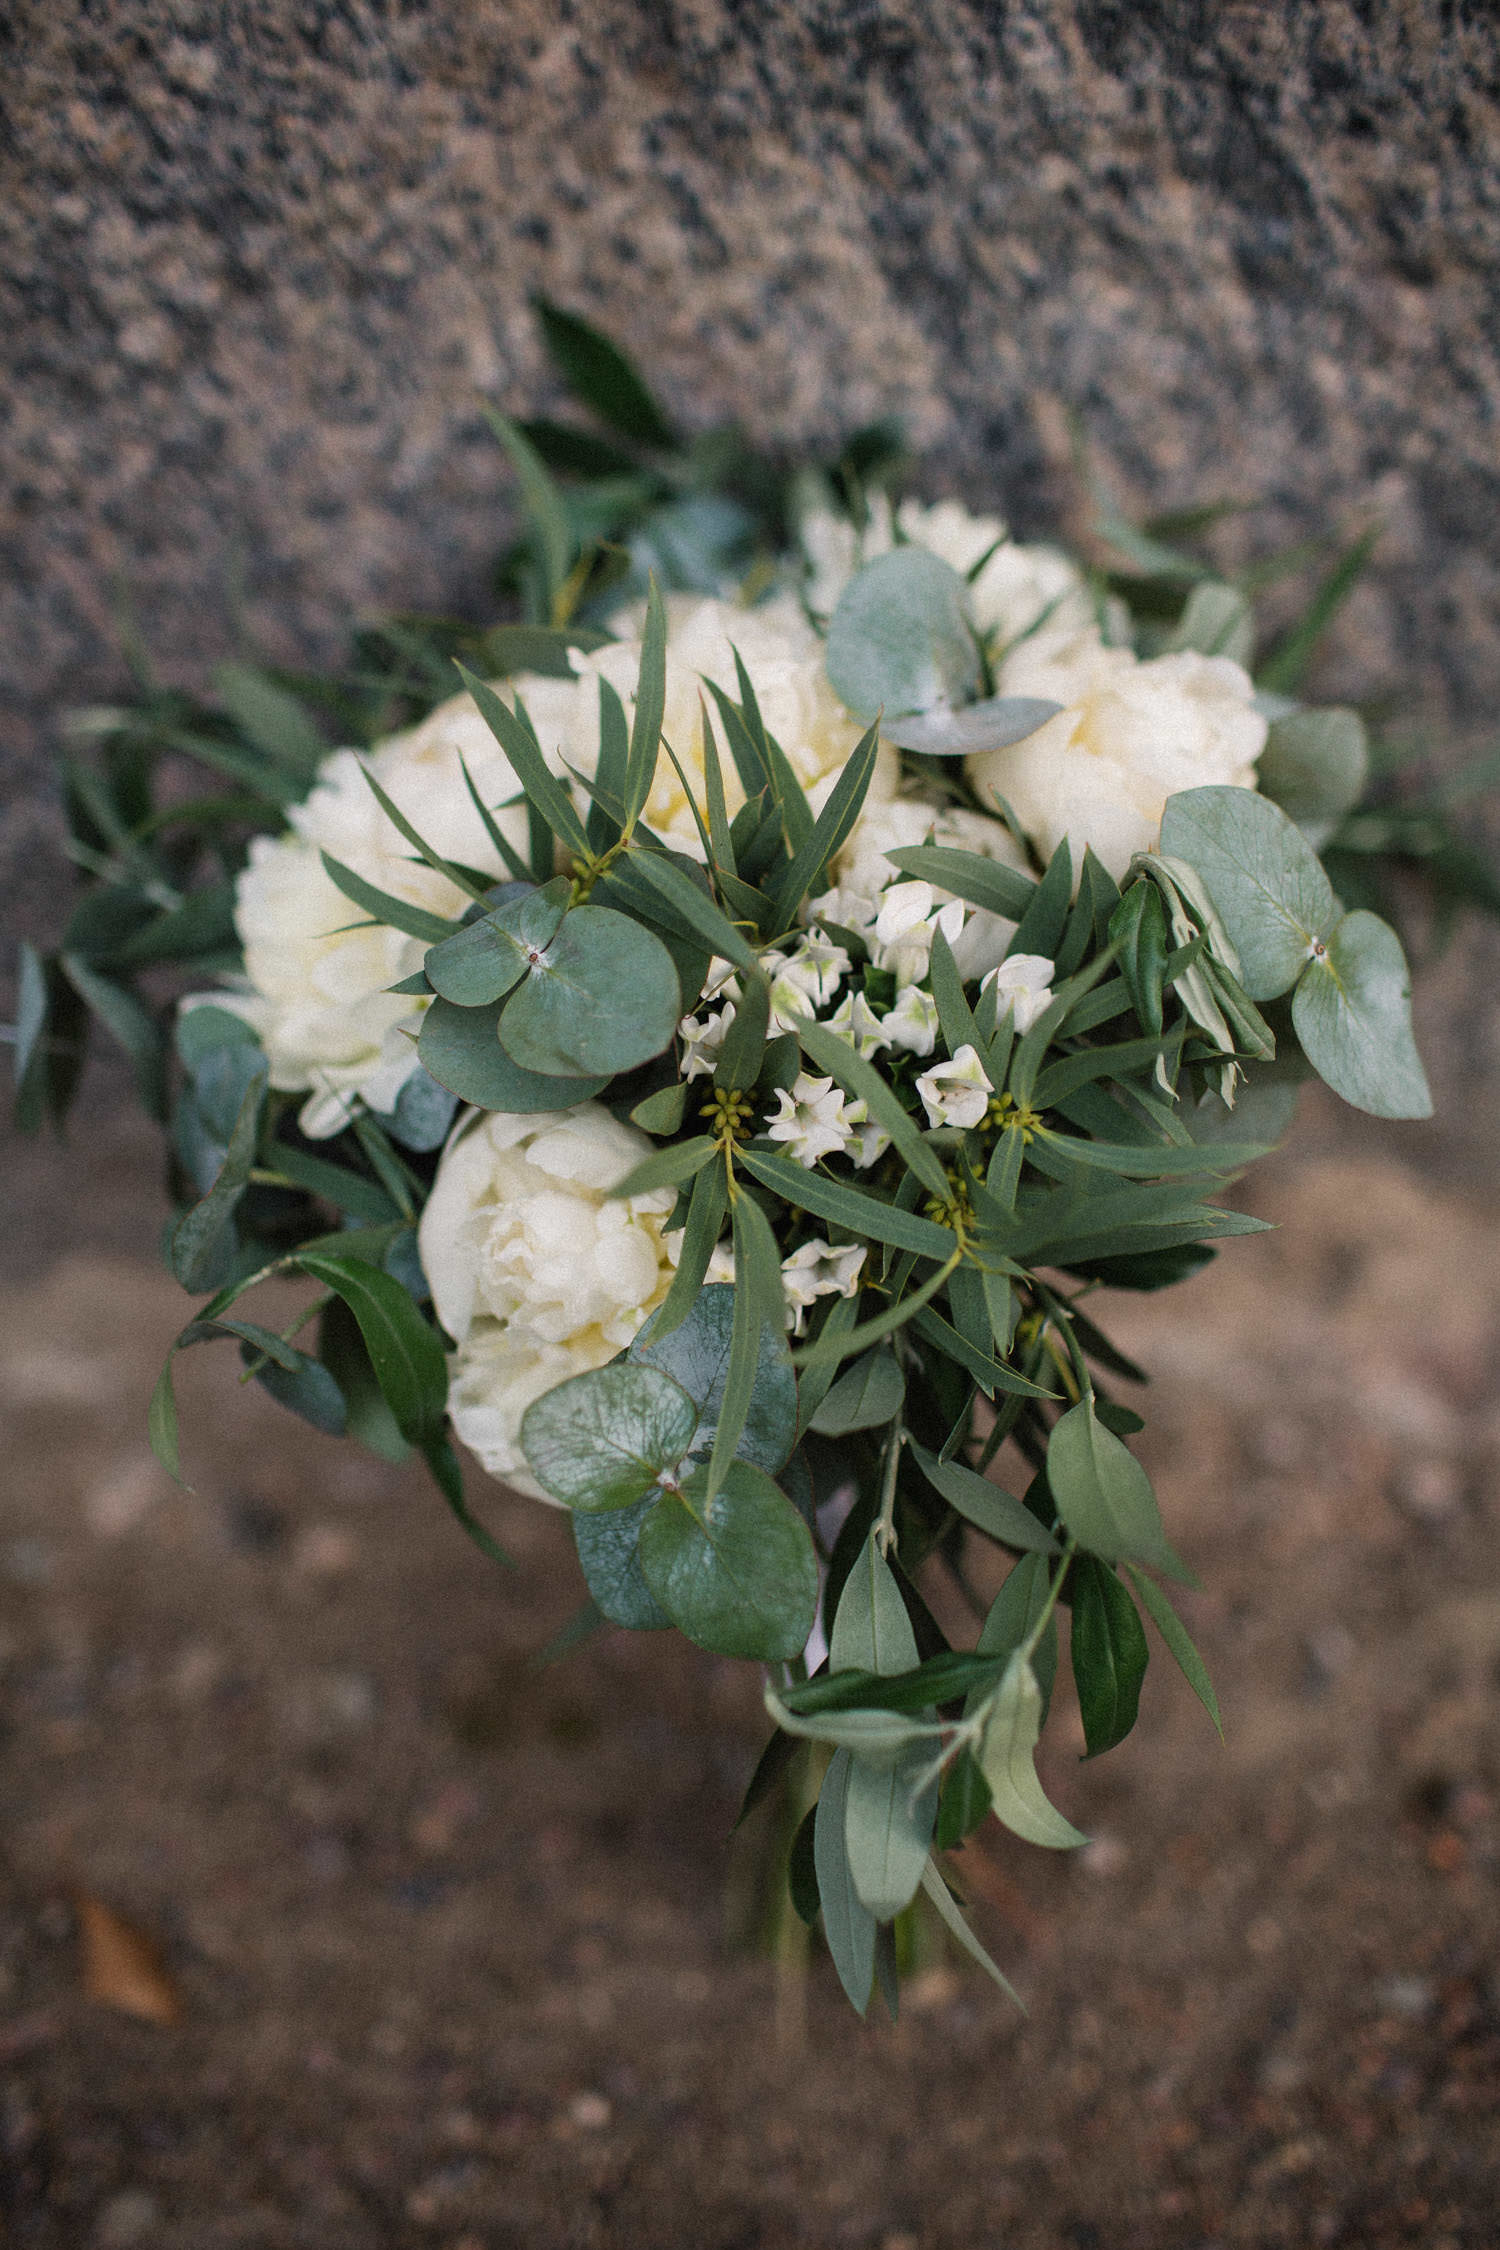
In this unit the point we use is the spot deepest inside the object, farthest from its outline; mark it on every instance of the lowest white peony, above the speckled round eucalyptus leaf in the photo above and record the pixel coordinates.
(534, 1272)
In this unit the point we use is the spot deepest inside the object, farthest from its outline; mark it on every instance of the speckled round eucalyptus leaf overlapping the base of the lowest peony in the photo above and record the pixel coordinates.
(604, 1439)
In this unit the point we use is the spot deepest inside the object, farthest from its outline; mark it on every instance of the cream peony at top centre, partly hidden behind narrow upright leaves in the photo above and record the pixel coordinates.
(784, 658)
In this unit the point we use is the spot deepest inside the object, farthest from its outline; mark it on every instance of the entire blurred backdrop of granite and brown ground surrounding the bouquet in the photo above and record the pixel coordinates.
(325, 1916)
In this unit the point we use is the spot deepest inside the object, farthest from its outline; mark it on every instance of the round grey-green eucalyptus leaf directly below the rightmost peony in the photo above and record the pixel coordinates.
(1263, 876)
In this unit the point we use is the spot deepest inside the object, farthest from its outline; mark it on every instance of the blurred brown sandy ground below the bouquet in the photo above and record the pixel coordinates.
(453, 1941)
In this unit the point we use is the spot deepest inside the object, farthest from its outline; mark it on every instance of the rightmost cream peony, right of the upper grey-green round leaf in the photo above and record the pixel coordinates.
(1130, 735)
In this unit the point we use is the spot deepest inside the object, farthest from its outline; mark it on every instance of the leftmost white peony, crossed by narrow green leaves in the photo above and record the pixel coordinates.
(318, 987)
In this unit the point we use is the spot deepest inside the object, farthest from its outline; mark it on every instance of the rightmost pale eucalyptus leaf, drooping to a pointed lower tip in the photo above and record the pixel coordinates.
(1355, 1020)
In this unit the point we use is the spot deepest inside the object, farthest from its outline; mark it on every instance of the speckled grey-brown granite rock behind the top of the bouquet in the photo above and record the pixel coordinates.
(260, 262)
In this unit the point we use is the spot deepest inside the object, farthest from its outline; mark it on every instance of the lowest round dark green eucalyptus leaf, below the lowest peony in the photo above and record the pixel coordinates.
(739, 1572)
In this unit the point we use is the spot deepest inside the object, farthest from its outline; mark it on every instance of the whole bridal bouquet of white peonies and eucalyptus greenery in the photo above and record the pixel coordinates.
(707, 1059)
